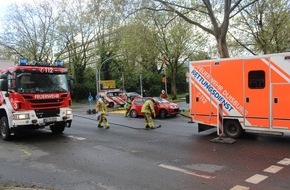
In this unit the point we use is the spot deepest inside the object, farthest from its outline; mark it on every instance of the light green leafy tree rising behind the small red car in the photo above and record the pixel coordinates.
(137, 45)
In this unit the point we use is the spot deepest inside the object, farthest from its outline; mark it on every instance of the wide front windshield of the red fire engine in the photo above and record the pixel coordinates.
(41, 83)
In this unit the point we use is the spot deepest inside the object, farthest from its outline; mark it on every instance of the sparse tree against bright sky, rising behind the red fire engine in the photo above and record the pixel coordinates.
(29, 31)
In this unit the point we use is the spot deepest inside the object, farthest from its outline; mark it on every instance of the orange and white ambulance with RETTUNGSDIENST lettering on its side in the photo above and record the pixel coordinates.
(253, 93)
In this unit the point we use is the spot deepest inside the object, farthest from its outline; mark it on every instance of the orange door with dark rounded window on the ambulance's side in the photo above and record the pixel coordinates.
(256, 92)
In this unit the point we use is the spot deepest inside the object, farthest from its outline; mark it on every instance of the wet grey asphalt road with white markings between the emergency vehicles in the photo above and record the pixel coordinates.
(127, 157)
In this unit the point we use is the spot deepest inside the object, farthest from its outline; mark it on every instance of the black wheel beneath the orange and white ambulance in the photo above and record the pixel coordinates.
(233, 129)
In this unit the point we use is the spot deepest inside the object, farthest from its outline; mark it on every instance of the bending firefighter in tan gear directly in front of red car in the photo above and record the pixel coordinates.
(147, 111)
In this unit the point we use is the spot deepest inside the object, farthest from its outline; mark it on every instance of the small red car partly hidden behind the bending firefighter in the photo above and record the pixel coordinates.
(163, 108)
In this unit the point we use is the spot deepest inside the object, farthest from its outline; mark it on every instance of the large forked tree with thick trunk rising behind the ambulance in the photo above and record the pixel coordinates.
(207, 16)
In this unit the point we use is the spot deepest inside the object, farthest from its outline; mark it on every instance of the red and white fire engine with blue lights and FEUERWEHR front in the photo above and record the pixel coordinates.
(33, 97)
